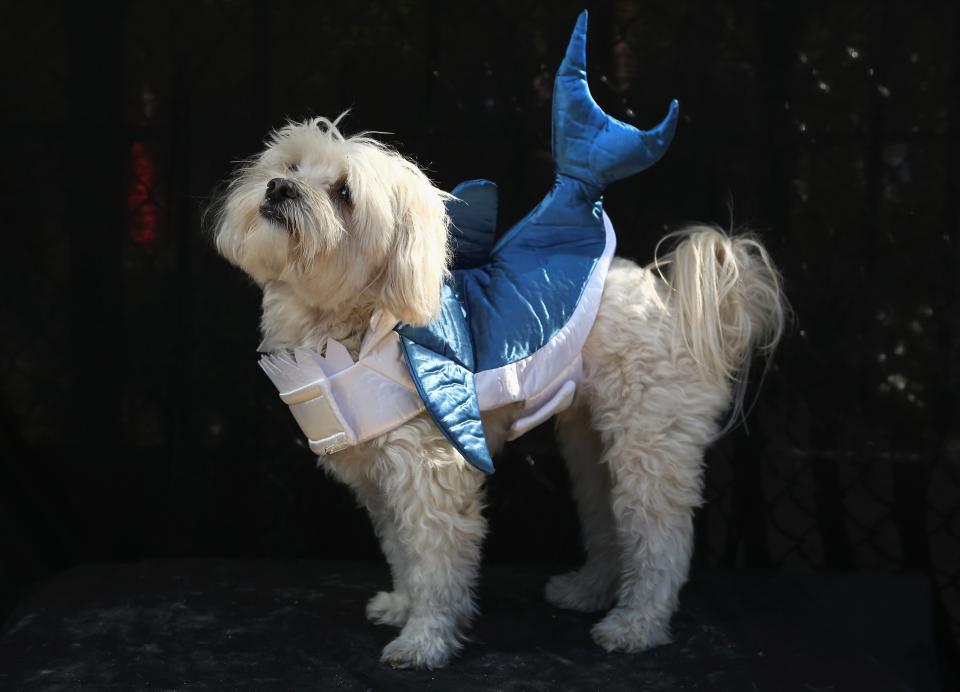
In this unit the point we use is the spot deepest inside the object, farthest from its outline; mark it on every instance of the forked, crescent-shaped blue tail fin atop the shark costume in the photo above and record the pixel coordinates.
(588, 144)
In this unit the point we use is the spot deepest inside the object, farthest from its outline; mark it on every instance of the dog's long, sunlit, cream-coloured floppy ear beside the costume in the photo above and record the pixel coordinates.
(418, 262)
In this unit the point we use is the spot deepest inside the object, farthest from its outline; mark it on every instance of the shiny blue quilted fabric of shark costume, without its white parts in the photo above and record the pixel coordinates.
(506, 300)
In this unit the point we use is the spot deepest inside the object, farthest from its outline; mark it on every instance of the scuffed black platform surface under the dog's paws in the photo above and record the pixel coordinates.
(299, 625)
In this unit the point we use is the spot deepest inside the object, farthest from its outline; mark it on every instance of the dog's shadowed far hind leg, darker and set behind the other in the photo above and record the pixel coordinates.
(592, 587)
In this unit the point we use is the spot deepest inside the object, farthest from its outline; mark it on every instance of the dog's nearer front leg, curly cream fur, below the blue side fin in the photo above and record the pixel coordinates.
(436, 504)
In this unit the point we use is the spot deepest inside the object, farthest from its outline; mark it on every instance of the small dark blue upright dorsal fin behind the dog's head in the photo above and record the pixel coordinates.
(473, 217)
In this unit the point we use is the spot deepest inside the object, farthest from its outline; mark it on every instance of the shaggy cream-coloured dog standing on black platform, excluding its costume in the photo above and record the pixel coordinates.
(333, 228)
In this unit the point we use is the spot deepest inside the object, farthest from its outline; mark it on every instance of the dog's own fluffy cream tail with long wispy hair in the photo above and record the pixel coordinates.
(729, 302)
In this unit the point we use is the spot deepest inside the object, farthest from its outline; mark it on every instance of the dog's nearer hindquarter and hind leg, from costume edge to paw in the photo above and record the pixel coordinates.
(655, 414)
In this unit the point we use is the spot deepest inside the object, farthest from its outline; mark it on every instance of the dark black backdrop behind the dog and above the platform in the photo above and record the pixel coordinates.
(136, 423)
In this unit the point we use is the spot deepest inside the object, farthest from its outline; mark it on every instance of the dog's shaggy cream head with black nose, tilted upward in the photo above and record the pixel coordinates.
(339, 219)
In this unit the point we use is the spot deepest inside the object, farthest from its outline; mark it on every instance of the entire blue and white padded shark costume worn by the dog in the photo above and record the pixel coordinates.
(515, 313)
